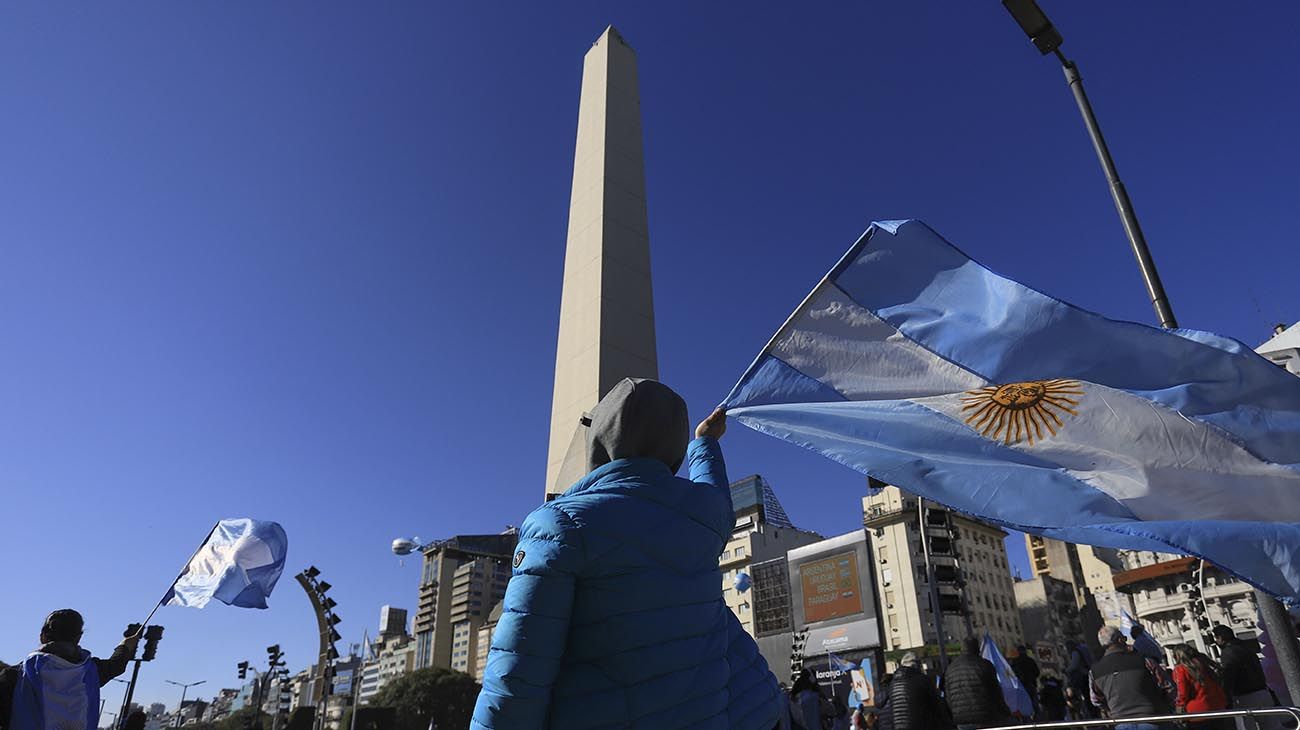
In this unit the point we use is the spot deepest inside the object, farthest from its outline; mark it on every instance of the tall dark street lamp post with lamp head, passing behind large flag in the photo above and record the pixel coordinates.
(1048, 40)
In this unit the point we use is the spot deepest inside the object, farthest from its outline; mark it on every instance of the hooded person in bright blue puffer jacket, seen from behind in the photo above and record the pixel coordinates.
(614, 616)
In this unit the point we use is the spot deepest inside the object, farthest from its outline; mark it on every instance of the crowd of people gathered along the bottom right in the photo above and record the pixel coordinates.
(1134, 677)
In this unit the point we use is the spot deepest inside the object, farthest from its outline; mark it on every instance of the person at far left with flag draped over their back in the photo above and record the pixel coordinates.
(58, 686)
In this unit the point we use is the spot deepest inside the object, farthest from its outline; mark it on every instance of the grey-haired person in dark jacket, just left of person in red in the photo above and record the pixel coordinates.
(1125, 684)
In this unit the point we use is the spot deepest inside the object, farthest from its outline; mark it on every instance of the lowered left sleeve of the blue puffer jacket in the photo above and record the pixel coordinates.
(528, 644)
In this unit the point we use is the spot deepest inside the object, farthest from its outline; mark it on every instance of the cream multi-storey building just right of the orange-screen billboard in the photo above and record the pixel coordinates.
(894, 524)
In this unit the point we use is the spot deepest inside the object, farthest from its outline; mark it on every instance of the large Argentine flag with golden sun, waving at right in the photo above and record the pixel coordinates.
(918, 367)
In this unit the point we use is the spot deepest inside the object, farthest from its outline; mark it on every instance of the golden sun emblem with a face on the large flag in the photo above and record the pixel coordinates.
(1022, 412)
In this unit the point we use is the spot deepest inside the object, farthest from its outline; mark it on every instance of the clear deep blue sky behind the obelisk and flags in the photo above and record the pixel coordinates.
(301, 262)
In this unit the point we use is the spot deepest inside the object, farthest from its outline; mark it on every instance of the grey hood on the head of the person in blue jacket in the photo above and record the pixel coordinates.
(639, 419)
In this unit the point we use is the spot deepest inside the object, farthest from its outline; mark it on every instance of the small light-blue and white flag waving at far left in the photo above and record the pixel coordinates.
(239, 566)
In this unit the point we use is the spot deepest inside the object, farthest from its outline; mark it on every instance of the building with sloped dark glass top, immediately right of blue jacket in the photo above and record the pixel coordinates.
(762, 532)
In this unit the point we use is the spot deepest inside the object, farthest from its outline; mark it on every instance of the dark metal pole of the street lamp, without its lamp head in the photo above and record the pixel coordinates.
(1276, 618)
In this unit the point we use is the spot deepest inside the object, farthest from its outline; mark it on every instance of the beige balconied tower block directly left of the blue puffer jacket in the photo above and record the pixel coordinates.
(461, 580)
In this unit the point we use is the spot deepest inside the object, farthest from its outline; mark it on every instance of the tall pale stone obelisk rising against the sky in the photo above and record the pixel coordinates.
(606, 308)
